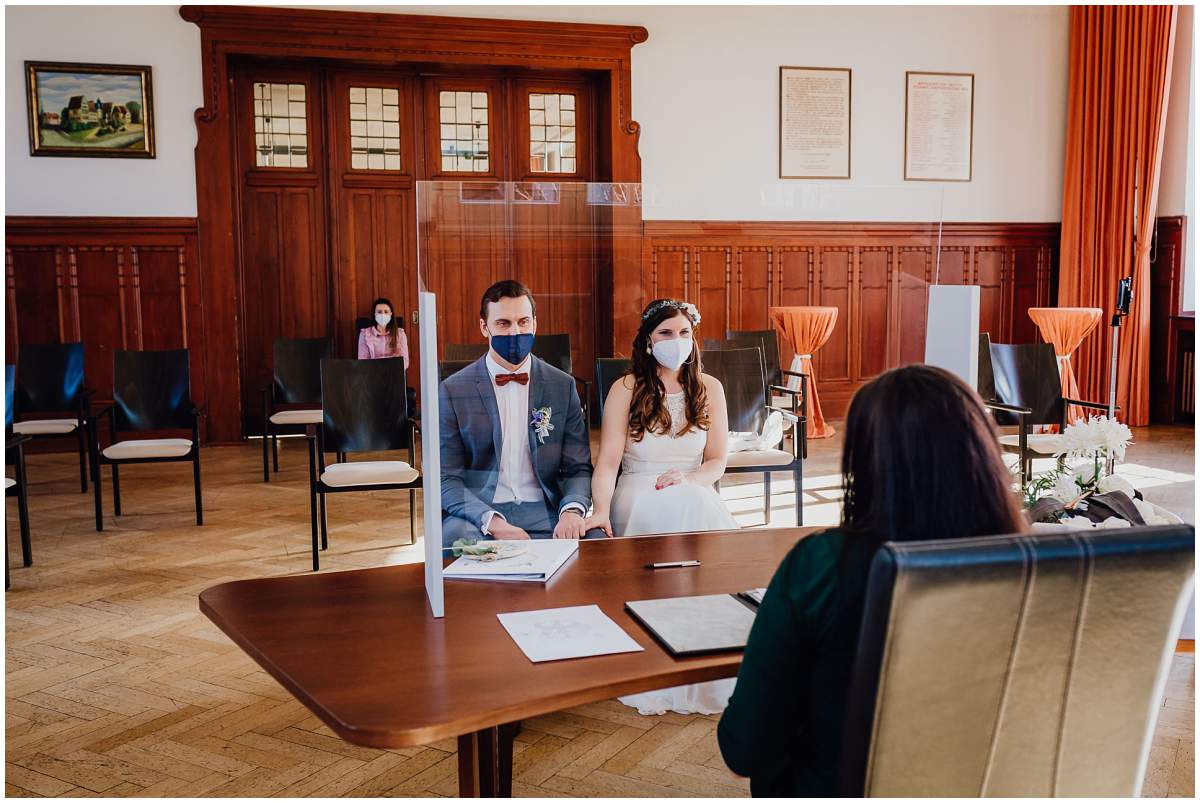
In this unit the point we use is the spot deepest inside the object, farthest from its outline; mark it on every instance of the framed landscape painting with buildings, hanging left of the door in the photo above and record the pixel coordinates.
(89, 110)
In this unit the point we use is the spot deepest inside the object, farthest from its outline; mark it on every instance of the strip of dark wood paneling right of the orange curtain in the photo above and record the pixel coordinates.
(1172, 333)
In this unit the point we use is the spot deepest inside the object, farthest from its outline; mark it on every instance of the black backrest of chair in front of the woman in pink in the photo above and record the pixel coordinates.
(365, 405)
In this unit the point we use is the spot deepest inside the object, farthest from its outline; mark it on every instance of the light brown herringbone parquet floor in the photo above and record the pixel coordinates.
(117, 686)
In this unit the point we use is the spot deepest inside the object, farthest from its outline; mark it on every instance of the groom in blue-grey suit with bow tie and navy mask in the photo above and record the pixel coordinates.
(515, 456)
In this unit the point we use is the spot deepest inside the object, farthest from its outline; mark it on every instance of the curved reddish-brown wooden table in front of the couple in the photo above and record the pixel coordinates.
(362, 651)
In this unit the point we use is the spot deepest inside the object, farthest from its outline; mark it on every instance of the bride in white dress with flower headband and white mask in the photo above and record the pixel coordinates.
(665, 427)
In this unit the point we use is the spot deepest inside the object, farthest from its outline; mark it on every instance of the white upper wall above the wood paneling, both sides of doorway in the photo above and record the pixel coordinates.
(705, 92)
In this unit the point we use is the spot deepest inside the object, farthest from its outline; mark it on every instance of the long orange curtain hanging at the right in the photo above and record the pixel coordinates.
(1117, 118)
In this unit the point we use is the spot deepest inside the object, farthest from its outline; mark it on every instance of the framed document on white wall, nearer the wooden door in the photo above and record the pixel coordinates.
(814, 123)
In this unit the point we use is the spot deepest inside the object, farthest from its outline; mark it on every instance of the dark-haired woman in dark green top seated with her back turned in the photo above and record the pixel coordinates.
(920, 463)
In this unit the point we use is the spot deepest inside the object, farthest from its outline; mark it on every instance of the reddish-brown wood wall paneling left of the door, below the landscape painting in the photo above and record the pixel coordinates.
(112, 284)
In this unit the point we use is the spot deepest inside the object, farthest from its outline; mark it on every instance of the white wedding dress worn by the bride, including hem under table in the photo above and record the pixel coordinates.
(639, 510)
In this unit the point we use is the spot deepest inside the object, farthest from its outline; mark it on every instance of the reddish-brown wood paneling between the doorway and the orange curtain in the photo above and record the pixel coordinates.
(875, 274)
